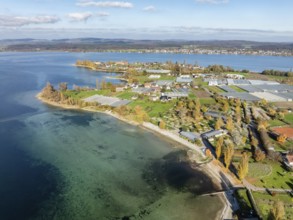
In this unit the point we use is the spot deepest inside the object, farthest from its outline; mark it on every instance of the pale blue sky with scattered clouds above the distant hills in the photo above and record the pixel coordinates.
(258, 20)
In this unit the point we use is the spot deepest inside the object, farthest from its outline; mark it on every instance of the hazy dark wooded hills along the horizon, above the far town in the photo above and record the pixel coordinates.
(96, 44)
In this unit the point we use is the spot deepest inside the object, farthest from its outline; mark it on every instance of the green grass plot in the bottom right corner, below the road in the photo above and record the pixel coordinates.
(265, 202)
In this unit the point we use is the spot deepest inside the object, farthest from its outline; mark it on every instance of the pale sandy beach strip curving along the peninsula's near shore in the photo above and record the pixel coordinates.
(210, 169)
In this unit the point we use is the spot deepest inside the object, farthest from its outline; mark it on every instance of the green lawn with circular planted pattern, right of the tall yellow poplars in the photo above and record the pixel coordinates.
(278, 178)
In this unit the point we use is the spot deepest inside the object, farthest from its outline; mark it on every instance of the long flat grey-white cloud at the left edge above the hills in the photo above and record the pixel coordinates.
(17, 21)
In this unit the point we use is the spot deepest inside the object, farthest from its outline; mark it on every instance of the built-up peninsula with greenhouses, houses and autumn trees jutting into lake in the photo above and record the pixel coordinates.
(241, 121)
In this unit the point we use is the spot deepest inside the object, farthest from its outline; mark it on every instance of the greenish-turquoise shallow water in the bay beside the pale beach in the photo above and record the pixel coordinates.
(109, 170)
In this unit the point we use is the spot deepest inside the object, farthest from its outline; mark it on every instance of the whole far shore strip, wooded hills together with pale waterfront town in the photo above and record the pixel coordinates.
(150, 46)
